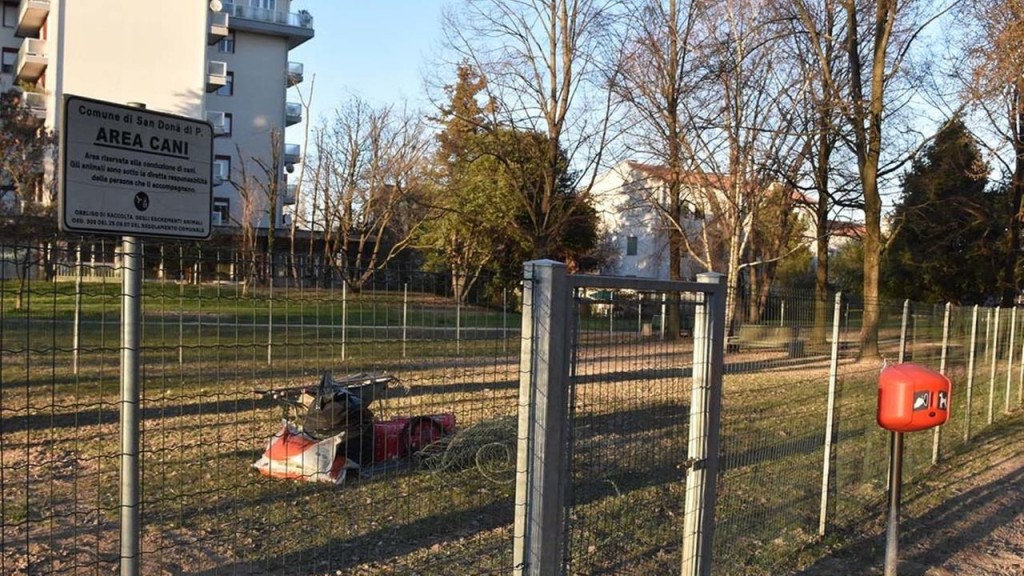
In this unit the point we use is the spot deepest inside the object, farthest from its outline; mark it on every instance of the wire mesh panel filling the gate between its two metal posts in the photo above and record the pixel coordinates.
(630, 423)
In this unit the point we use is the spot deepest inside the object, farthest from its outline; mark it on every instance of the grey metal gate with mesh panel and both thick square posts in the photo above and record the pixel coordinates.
(619, 424)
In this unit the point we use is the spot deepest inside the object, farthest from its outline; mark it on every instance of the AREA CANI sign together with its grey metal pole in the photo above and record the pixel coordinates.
(94, 198)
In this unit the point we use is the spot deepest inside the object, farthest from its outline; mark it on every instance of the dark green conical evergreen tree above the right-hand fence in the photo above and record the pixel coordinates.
(947, 243)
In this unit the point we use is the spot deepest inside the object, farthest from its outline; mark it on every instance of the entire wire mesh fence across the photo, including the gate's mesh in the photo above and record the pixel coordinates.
(212, 337)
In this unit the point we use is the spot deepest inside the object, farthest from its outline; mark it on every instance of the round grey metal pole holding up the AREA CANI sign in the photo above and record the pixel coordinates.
(132, 283)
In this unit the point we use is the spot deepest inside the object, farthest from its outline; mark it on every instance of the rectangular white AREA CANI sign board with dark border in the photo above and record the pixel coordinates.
(131, 172)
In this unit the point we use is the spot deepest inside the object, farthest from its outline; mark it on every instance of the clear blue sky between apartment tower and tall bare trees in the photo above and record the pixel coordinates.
(376, 50)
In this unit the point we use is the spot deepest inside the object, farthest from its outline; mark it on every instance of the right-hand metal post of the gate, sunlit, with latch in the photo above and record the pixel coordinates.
(706, 416)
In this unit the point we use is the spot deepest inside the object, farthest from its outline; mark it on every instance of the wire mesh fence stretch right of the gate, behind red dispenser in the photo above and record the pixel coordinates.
(777, 491)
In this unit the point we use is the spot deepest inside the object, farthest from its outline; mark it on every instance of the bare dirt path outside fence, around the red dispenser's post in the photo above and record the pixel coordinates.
(966, 519)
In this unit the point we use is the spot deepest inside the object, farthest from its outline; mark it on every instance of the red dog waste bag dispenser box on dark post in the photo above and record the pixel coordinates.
(913, 398)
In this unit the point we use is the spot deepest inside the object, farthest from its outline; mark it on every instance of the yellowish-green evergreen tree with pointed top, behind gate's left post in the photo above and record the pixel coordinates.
(492, 183)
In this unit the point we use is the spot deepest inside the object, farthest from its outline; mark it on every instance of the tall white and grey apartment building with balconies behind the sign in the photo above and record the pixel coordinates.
(225, 62)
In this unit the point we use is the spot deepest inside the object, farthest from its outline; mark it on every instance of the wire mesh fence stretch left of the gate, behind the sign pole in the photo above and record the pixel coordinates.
(208, 343)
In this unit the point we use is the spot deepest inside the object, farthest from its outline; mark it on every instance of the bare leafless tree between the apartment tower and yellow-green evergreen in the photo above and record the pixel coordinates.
(371, 170)
